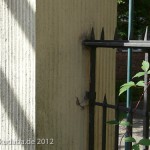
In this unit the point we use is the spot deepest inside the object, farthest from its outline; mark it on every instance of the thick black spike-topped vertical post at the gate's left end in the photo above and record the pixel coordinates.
(92, 93)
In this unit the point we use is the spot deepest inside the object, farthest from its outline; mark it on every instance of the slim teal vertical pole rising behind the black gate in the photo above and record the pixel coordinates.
(128, 101)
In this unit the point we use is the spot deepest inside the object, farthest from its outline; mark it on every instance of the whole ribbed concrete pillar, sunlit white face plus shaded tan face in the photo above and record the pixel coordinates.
(62, 71)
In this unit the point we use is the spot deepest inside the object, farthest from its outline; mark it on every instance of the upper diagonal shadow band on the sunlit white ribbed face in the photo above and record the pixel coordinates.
(24, 15)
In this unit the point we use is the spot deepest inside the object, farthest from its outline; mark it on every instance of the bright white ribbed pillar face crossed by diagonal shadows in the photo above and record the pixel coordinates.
(17, 73)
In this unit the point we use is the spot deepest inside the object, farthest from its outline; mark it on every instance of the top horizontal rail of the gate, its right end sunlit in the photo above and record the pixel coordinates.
(117, 43)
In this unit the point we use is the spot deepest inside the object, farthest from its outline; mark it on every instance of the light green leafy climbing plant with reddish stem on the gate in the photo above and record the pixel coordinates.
(145, 70)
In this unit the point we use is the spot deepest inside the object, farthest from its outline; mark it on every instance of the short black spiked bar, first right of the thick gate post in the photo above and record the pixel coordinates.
(104, 124)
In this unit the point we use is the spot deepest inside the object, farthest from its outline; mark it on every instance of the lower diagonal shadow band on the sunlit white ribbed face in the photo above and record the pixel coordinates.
(14, 112)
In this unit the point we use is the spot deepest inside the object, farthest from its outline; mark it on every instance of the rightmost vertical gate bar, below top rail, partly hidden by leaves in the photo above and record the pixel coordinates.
(146, 116)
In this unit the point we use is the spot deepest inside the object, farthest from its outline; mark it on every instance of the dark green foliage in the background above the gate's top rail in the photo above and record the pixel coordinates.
(141, 18)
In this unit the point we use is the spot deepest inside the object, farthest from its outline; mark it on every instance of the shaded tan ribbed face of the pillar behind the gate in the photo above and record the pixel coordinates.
(62, 70)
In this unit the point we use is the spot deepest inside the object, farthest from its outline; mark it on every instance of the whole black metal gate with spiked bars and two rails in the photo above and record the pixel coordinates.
(92, 44)
